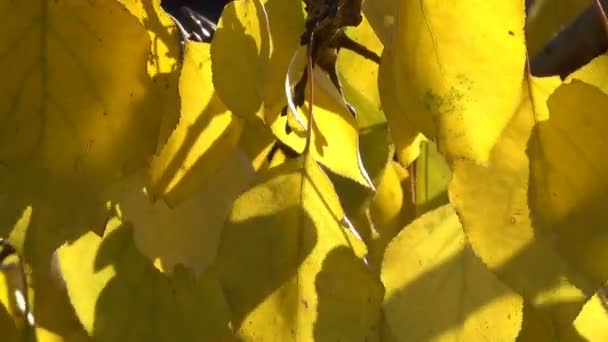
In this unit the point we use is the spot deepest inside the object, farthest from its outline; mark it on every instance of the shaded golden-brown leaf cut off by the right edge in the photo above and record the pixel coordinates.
(568, 187)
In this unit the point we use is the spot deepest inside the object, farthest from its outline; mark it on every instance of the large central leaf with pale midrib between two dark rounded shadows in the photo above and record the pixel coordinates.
(288, 266)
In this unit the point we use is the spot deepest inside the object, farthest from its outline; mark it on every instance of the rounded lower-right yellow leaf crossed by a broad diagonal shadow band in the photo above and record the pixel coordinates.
(438, 290)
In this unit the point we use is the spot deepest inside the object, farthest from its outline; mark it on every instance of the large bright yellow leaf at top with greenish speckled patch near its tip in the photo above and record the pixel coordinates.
(462, 66)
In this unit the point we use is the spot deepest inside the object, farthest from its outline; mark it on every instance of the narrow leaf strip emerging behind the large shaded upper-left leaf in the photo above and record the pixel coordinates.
(163, 61)
